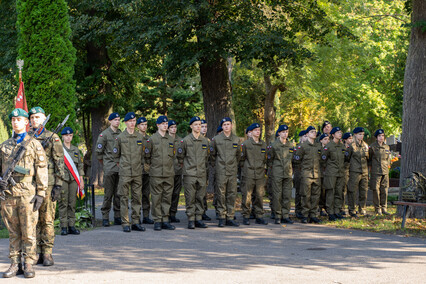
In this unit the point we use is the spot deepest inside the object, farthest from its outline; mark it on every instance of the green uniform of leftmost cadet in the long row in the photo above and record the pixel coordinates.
(104, 152)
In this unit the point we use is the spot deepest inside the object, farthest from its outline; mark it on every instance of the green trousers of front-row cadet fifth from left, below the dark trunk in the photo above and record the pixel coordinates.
(226, 195)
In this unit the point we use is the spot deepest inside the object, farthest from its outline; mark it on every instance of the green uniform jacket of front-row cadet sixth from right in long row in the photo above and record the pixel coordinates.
(253, 159)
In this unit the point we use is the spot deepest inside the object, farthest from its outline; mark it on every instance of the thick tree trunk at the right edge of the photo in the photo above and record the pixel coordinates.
(414, 105)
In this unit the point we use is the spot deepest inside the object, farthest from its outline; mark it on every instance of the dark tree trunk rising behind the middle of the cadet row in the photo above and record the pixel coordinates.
(216, 92)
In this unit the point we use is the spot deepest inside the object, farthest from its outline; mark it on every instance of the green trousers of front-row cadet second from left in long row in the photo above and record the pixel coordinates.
(132, 185)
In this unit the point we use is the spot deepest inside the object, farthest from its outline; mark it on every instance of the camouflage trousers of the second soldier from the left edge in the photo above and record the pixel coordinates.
(45, 225)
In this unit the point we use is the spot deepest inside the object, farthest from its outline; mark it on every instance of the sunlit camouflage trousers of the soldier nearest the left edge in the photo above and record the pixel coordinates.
(20, 221)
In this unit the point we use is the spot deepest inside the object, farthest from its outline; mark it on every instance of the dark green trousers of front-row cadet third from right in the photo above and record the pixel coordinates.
(333, 193)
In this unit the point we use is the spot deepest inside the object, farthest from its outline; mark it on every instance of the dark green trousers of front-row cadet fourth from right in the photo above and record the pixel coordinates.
(310, 190)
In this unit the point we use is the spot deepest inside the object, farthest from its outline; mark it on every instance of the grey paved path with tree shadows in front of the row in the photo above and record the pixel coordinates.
(248, 254)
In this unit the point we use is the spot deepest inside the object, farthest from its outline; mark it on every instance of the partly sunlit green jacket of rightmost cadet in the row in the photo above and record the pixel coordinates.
(379, 158)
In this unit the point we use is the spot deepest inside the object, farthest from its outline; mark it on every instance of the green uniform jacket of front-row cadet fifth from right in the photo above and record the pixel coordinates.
(280, 157)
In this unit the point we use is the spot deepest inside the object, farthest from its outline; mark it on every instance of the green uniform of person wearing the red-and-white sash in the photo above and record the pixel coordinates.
(68, 199)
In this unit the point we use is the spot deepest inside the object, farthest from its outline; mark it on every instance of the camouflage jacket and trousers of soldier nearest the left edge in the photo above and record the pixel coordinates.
(16, 210)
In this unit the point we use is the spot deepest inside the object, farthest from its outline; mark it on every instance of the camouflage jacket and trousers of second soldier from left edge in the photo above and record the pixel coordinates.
(55, 163)
